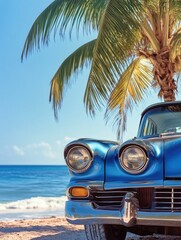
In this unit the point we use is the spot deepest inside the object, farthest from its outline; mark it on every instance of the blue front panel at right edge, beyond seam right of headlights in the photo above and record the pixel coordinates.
(172, 157)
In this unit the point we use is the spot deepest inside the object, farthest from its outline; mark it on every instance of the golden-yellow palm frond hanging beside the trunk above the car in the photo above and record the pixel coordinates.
(130, 90)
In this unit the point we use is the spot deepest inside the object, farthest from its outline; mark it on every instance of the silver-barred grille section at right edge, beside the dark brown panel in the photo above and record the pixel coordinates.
(167, 199)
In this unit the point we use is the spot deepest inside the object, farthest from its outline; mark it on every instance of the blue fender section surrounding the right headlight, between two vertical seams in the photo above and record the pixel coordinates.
(117, 177)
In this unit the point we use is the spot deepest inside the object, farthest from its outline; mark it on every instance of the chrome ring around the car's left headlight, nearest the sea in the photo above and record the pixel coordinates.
(72, 148)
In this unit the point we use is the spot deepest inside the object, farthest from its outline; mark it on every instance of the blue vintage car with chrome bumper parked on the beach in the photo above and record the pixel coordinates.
(135, 186)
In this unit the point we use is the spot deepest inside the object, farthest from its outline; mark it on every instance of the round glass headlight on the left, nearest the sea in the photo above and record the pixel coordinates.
(78, 159)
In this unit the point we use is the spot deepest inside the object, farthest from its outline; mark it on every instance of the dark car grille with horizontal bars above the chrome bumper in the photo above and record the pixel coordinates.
(156, 199)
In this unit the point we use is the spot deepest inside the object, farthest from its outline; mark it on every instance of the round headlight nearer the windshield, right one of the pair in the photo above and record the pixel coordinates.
(133, 159)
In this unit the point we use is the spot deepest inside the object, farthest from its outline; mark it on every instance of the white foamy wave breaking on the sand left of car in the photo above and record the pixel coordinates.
(35, 203)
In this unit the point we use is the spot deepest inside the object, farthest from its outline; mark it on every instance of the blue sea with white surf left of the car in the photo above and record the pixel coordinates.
(32, 191)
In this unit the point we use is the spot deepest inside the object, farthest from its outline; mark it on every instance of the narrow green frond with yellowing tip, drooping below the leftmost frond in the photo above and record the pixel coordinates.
(61, 80)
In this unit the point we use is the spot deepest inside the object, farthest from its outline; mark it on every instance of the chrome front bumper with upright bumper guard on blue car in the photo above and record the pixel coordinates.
(82, 212)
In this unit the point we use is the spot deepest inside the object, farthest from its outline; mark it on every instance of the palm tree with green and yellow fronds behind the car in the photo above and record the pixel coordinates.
(138, 47)
